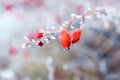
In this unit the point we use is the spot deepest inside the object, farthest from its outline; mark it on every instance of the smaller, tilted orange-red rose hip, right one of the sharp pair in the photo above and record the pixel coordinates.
(75, 36)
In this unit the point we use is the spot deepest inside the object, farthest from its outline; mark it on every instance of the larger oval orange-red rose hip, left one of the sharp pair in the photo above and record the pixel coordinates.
(65, 39)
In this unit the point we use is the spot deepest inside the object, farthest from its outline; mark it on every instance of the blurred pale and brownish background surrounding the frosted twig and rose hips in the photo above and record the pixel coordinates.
(95, 57)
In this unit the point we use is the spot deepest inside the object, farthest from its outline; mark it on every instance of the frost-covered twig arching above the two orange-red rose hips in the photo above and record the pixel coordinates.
(50, 33)
